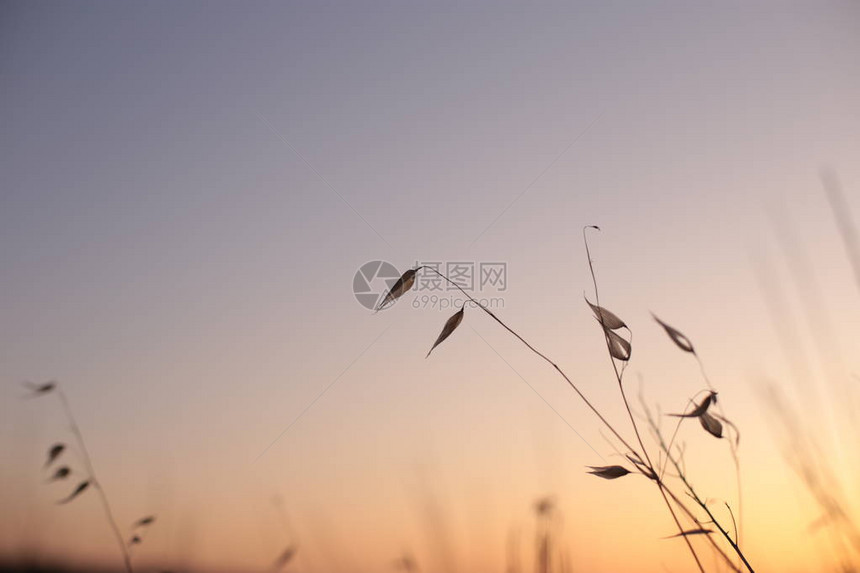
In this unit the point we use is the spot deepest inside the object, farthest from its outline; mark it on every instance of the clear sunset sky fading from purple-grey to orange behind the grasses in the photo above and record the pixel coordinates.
(188, 189)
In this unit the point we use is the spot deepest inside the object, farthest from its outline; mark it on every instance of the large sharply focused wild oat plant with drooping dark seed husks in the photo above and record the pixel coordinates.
(663, 464)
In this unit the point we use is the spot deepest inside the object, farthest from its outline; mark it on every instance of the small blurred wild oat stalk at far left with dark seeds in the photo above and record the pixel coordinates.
(61, 469)
